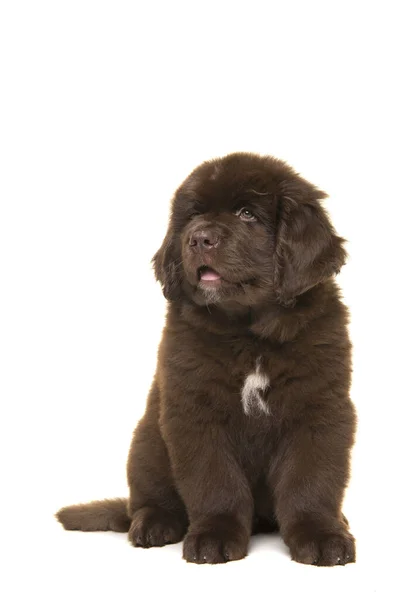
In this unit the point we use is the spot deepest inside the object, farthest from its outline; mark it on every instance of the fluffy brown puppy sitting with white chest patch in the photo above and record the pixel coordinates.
(249, 424)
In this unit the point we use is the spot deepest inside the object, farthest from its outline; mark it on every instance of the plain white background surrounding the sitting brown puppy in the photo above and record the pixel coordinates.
(105, 108)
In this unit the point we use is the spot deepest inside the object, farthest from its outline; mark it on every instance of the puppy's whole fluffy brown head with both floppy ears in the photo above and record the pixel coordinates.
(246, 229)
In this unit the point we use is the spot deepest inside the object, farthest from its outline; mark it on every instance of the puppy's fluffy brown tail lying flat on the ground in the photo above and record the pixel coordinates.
(101, 515)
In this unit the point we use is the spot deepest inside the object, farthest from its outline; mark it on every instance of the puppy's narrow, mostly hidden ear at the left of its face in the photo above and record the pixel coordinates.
(166, 263)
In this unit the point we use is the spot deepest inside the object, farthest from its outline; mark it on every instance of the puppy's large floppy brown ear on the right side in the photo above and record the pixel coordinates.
(307, 249)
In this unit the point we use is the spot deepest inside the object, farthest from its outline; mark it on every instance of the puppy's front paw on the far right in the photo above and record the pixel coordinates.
(322, 547)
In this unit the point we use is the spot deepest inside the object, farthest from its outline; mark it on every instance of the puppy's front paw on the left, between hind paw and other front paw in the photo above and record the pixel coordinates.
(218, 540)
